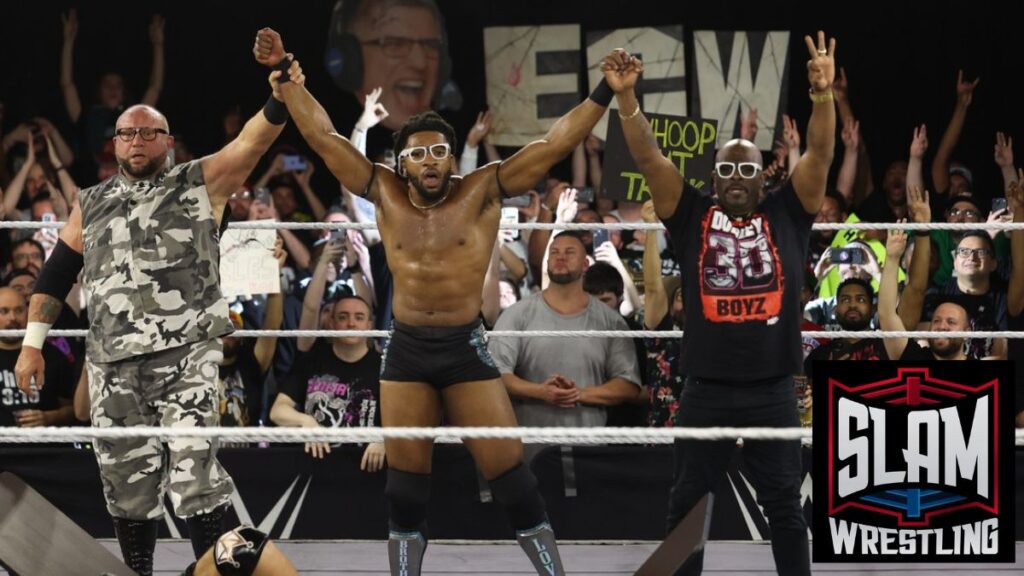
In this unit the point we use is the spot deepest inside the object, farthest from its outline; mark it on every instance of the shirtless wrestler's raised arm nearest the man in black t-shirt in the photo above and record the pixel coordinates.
(520, 173)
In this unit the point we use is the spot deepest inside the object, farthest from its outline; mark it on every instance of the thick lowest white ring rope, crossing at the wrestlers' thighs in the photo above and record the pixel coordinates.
(576, 436)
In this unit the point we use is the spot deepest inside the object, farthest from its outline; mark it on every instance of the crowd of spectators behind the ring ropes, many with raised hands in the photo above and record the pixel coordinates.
(620, 280)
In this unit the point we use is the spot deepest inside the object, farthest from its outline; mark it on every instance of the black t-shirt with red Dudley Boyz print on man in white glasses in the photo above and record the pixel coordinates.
(742, 291)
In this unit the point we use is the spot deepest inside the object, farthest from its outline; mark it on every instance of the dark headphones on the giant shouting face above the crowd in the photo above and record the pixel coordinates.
(344, 58)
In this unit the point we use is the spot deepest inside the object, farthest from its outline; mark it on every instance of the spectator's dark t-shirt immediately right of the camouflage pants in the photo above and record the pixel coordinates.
(240, 389)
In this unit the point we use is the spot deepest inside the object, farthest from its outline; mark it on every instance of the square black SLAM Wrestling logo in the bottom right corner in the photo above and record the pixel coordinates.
(915, 462)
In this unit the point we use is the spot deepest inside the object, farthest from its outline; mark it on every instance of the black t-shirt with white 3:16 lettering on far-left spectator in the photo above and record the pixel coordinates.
(60, 383)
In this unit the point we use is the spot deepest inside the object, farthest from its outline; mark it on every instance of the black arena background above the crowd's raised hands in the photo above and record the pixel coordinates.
(902, 60)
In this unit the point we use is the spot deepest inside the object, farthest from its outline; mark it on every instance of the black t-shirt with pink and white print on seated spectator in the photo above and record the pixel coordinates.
(338, 394)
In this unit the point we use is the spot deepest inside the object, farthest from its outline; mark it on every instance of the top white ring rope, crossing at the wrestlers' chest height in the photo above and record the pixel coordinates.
(271, 225)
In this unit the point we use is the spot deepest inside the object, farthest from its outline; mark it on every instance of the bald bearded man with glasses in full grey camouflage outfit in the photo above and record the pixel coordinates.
(148, 241)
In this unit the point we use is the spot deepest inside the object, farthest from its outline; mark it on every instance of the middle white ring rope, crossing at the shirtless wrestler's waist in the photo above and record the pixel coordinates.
(827, 335)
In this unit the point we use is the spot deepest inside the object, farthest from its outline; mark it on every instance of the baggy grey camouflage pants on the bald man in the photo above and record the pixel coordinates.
(174, 388)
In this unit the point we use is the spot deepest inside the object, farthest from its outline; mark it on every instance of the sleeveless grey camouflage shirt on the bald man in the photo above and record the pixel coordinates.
(152, 265)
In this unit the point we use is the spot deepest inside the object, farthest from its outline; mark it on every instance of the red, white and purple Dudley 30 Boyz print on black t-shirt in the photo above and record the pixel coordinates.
(741, 273)
